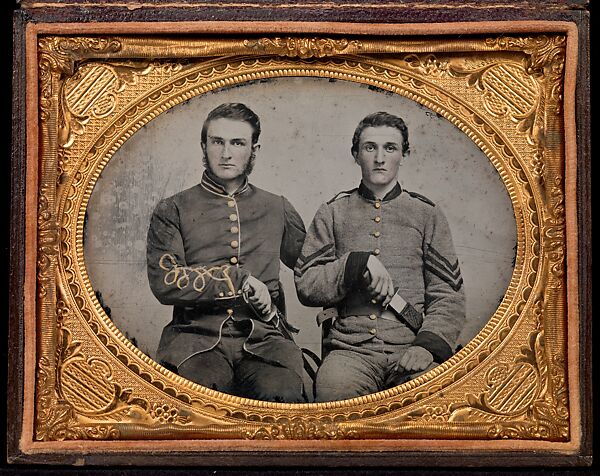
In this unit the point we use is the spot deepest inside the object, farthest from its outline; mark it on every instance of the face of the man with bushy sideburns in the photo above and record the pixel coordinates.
(228, 148)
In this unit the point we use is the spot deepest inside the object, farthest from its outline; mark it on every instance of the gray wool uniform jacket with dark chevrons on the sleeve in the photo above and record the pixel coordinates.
(411, 237)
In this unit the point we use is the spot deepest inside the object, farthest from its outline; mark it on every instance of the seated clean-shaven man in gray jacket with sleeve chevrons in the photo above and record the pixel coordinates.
(383, 258)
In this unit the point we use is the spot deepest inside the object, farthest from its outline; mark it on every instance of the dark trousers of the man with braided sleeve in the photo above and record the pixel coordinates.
(229, 368)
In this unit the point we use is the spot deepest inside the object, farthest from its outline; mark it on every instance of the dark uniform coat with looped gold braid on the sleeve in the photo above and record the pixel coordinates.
(202, 246)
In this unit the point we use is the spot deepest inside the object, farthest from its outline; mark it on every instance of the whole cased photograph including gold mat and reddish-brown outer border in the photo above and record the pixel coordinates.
(267, 239)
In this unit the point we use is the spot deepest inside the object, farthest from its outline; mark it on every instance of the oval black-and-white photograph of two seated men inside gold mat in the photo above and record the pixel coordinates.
(299, 240)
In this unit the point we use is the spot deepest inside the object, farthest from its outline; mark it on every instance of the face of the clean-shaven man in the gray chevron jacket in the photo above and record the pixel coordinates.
(379, 155)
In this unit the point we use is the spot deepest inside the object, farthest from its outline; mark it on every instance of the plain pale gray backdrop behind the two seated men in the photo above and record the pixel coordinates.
(307, 127)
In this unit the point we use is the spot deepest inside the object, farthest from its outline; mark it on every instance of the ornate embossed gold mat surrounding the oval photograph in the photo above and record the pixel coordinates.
(505, 93)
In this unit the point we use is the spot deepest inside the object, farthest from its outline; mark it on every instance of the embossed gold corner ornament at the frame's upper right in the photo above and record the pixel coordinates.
(528, 91)
